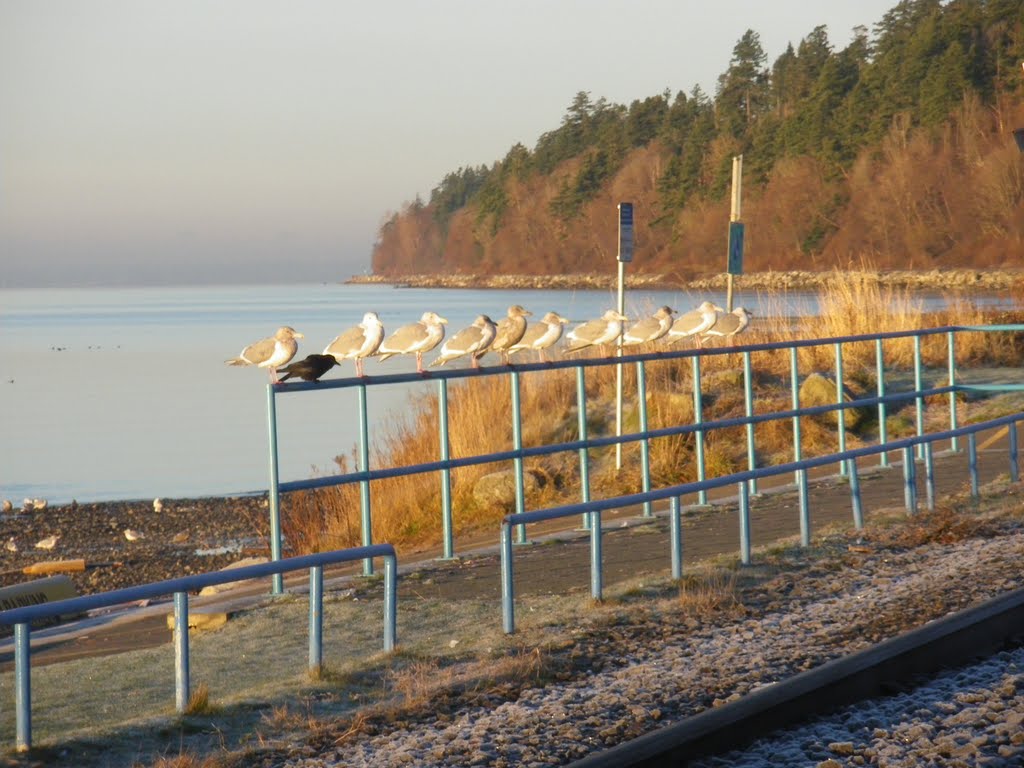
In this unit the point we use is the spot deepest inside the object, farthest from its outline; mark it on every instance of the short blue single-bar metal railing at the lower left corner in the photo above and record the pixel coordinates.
(20, 619)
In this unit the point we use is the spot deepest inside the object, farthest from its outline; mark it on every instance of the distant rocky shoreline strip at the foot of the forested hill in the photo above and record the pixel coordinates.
(936, 280)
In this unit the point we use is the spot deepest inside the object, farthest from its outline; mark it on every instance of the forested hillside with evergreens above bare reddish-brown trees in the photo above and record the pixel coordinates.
(898, 150)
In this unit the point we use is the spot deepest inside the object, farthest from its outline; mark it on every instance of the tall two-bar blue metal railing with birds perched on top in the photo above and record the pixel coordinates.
(585, 444)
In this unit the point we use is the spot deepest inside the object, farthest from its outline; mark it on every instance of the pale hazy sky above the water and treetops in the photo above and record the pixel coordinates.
(255, 141)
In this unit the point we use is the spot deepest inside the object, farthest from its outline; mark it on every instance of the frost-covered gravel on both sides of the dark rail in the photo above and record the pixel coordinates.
(632, 672)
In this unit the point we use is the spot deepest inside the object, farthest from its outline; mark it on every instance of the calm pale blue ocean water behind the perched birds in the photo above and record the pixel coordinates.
(123, 394)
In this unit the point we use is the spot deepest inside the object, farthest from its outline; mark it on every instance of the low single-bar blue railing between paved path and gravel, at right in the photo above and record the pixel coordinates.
(742, 481)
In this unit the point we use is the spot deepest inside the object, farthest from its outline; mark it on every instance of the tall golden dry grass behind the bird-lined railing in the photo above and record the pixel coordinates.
(407, 511)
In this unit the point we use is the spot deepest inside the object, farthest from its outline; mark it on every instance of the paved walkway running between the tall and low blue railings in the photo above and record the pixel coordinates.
(633, 546)
